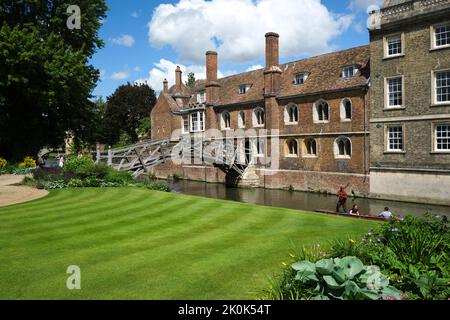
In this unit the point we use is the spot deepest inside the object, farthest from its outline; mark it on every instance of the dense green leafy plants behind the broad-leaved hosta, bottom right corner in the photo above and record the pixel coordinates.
(413, 252)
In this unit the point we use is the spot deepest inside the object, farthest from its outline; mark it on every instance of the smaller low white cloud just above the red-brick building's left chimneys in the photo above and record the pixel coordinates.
(165, 69)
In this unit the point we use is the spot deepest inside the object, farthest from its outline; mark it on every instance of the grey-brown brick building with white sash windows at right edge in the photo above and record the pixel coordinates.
(410, 102)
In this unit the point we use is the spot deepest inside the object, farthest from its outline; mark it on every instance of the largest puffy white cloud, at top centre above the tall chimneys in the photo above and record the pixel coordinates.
(236, 28)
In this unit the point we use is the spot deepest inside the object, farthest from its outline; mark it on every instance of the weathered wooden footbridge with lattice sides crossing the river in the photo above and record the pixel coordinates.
(141, 157)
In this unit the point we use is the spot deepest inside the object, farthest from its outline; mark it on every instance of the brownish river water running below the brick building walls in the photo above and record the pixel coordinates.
(300, 200)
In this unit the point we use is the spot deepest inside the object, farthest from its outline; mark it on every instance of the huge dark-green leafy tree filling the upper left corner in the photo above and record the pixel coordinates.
(45, 77)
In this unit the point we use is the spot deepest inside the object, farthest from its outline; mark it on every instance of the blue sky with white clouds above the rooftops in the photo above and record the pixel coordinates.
(146, 39)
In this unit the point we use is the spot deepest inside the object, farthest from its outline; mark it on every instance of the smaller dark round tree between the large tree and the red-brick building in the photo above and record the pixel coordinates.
(126, 110)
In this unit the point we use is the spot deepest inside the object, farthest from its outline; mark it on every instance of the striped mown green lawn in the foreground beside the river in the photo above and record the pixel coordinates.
(137, 244)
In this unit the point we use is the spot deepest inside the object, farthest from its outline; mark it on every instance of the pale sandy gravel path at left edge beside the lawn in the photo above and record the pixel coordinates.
(11, 193)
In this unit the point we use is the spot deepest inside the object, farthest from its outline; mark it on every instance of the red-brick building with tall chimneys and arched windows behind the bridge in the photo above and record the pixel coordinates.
(319, 105)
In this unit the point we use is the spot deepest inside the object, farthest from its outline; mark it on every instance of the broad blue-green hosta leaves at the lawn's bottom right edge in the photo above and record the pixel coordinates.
(341, 279)
